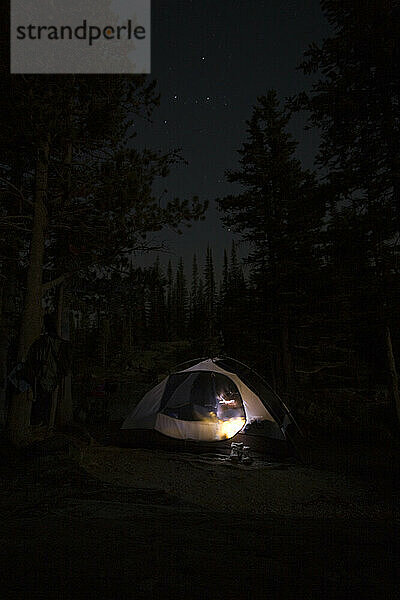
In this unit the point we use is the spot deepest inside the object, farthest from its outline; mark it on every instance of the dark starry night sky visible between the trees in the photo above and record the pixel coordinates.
(212, 58)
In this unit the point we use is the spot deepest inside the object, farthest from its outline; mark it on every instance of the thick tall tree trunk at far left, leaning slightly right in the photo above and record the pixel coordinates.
(21, 404)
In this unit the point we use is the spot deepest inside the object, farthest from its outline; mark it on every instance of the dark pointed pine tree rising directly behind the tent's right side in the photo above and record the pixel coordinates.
(279, 214)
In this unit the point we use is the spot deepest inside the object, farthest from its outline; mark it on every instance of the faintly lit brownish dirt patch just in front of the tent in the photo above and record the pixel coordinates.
(213, 483)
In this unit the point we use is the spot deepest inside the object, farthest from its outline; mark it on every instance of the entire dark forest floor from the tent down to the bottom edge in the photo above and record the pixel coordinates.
(83, 521)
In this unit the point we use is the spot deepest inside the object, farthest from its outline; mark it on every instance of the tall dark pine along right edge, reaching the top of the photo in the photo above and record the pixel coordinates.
(355, 104)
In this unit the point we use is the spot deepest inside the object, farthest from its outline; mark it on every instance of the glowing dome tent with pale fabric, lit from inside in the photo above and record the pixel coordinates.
(212, 400)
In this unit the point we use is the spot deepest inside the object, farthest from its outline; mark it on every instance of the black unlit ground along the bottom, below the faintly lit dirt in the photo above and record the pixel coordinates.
(68, 535)
